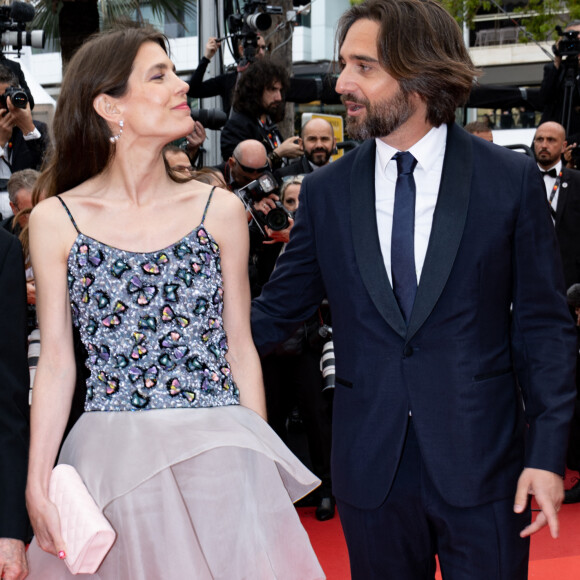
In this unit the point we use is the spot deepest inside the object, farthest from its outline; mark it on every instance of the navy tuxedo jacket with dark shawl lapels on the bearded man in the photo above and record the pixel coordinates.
(464, 366)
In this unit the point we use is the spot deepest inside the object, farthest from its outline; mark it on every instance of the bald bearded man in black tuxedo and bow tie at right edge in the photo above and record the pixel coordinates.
(563, 192)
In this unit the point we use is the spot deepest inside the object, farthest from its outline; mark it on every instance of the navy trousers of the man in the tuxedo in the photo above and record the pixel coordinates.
(399, 540)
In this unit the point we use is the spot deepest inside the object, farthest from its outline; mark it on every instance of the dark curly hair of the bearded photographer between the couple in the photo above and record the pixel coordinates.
(260, 75)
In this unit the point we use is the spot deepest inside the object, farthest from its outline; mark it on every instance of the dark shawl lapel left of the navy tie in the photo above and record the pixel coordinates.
(365, 237)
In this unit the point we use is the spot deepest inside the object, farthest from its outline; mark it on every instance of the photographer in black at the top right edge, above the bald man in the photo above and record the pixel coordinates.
(557, 75)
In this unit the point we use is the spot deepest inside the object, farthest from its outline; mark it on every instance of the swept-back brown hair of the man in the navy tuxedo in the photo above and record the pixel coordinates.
(422, 47)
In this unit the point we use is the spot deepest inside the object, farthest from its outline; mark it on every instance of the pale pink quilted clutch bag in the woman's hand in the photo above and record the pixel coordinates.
(86, 531)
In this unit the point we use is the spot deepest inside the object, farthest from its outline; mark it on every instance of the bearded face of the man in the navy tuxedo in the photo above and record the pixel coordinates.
(375, 104)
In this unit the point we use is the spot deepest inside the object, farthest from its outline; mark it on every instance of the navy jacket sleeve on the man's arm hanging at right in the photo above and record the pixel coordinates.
(543, 334)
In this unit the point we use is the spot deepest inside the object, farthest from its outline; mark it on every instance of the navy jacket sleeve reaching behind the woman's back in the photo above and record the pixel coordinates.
(295, 289)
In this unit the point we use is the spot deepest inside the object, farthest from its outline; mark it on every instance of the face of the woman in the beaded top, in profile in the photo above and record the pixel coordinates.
(155, 104)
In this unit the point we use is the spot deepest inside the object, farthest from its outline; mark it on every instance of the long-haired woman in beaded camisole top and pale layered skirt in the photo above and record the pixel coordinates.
(152, 270)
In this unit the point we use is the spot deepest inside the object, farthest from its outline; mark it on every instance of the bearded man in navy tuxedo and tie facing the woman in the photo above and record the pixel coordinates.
(455, 350)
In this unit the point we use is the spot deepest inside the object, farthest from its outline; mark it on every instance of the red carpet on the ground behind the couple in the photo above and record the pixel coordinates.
(549, 559)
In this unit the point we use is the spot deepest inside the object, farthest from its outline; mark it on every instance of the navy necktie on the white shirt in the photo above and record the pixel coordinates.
(403, 272)
